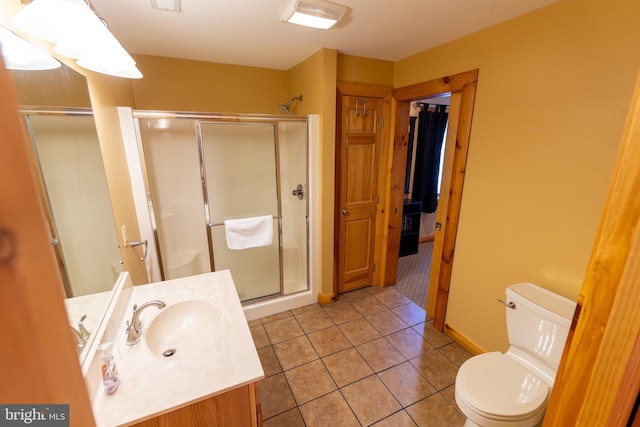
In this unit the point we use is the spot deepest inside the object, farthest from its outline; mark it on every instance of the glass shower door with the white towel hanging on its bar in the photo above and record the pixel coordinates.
(242, 183)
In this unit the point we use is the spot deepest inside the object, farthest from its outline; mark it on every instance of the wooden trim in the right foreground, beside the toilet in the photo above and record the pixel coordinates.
(598, 380)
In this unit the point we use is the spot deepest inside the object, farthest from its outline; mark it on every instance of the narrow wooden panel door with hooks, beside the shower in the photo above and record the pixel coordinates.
(358, 171)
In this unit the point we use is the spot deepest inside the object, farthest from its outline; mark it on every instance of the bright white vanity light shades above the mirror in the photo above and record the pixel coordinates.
(77, 32)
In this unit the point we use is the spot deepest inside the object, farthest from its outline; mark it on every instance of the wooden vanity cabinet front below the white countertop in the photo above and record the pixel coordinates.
(239, 407)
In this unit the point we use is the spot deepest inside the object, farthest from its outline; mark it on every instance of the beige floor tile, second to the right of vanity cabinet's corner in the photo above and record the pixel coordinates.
(310, 381)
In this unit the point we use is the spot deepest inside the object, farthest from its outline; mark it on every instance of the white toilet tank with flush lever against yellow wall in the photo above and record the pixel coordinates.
(539, 324)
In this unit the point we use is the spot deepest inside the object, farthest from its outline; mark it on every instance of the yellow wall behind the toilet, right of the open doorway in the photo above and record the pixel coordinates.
(553, 92)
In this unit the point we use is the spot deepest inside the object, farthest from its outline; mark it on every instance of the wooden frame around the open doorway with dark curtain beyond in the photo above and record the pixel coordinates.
(462, 88)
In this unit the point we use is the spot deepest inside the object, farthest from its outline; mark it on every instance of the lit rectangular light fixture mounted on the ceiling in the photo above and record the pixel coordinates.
(321, 14)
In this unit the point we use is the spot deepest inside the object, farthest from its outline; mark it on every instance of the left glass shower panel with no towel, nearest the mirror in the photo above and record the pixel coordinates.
(171, 158)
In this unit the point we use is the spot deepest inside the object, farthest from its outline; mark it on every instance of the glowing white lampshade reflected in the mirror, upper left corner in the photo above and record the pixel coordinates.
(19, 54)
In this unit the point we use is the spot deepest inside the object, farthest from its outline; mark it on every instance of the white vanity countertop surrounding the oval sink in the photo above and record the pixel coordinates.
(162, 385)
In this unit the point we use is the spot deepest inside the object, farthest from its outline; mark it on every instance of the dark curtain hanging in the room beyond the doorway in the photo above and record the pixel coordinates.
(431, 128)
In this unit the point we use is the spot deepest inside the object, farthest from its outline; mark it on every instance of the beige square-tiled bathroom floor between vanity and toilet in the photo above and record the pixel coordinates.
(372, 358)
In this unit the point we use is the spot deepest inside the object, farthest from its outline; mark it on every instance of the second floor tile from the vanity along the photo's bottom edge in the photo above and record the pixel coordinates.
(330, 410)
